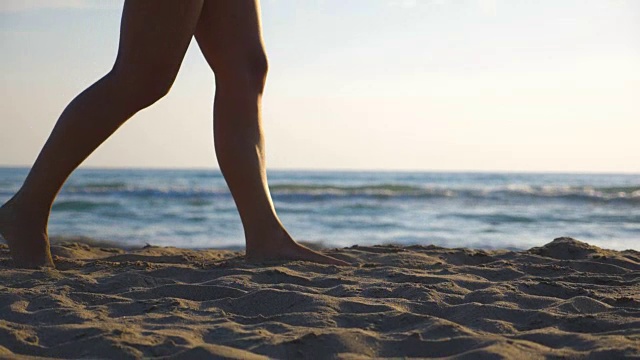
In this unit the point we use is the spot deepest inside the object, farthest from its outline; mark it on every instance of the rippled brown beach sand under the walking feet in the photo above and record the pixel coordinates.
(566, 299)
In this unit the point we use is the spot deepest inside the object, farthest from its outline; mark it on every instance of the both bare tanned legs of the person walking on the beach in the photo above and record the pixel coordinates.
(154, 36)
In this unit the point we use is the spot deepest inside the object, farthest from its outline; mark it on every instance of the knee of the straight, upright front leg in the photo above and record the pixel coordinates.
(248, 73)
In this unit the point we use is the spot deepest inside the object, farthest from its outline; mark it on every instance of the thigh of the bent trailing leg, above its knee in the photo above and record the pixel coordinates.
(155, 35)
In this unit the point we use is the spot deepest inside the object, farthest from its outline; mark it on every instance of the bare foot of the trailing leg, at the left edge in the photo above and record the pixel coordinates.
(29, 244)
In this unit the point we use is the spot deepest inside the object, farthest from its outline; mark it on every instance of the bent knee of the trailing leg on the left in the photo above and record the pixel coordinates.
(143, 86)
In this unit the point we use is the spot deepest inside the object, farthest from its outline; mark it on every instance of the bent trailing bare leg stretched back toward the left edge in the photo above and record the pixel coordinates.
(154, 37)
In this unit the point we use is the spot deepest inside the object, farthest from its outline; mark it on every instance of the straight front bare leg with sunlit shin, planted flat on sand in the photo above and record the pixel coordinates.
(230, 38)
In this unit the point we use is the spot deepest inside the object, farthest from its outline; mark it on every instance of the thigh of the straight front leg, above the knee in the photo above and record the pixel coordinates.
(229, 34)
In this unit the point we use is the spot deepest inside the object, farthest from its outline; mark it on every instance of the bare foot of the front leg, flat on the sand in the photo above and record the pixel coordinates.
(283, 247)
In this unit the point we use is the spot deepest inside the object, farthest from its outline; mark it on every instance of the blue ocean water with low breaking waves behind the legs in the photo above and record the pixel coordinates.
(194, 209)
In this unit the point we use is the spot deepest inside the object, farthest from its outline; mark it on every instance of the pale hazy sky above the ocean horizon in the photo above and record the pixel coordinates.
(441, 85)
